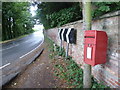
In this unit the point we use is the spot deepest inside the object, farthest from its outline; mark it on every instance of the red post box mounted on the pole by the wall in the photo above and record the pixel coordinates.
(95, 47)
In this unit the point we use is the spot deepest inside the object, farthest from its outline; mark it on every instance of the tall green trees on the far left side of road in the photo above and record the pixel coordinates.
(16, 19)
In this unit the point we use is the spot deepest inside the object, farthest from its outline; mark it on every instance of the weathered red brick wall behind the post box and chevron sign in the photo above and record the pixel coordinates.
(108, 72)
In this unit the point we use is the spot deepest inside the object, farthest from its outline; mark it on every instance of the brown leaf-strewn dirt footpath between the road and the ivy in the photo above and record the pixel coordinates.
(39, 74)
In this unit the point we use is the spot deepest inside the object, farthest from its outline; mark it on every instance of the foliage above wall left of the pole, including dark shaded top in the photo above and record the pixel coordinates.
(51, 15)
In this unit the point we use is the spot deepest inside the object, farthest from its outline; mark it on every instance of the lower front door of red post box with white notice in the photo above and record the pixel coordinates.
(89, 54)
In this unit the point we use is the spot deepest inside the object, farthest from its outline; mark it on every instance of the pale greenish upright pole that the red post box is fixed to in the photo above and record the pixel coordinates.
(87, 26)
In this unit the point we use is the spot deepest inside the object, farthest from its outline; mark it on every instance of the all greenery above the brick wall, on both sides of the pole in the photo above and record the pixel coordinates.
(55, 14)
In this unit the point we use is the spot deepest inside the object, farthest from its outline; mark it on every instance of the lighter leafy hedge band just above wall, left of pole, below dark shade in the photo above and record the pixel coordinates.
(64, 16)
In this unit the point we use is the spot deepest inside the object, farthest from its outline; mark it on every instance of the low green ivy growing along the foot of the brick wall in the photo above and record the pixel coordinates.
(67, 69)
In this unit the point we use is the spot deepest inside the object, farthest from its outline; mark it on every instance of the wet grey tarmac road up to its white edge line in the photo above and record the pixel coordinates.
(18, 49)
